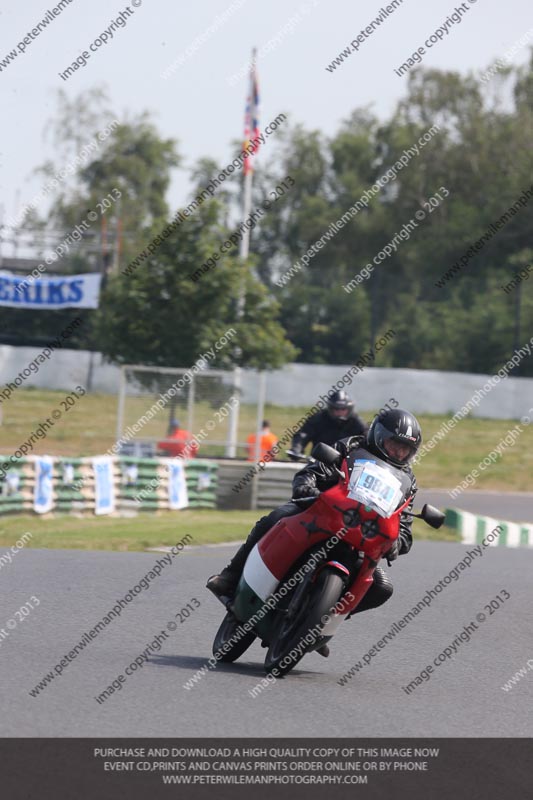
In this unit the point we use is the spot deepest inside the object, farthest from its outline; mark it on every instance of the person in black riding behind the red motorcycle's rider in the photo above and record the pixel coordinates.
(337, 421)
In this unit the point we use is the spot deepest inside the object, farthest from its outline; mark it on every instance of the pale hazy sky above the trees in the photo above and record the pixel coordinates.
(201, 104)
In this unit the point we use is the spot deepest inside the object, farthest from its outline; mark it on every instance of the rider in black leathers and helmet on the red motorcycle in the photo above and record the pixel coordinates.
(394, 436)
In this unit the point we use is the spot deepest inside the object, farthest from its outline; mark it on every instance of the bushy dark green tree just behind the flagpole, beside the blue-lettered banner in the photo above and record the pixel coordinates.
(159, 315)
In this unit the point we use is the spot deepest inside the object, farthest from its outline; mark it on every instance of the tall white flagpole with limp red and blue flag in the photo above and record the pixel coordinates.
(244, 251)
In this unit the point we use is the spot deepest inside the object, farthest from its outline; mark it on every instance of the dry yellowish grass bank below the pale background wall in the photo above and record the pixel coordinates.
(89, 429)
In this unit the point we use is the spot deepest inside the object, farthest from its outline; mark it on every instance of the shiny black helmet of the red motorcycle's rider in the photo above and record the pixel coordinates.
(399, 426)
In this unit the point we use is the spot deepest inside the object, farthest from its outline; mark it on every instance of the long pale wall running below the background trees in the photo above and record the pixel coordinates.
(422, 391)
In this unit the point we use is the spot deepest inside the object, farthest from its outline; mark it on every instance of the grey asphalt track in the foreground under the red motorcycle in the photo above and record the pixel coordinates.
(76, 589)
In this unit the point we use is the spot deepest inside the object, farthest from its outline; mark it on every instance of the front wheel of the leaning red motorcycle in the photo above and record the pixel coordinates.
(323, 595)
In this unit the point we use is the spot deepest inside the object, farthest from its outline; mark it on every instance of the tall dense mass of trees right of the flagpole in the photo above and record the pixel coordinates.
(481, 155)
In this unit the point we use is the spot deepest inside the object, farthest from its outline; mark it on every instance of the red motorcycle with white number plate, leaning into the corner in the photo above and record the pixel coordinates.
(311, 570)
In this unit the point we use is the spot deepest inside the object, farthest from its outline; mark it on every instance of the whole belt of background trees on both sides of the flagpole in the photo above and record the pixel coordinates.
(478, 161)
